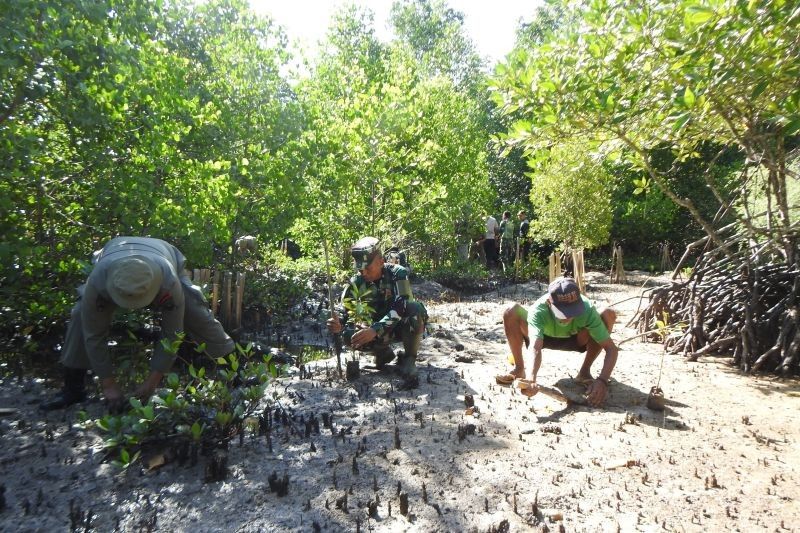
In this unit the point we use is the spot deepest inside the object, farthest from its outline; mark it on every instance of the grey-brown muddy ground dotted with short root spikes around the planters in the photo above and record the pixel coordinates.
(724, 455)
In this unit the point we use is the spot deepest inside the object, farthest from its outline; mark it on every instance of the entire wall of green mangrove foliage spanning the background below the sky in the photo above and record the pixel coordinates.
(185, 121)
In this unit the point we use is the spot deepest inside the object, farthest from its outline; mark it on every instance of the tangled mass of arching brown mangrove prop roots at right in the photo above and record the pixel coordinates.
(745, 306)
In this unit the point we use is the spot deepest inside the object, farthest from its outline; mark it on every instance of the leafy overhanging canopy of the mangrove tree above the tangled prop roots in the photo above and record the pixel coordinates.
(629, 81)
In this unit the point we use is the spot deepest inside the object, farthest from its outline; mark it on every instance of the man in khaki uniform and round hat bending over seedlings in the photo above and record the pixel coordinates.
(131, 273)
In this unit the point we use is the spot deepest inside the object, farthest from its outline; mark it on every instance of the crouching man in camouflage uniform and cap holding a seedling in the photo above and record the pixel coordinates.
(395, 315)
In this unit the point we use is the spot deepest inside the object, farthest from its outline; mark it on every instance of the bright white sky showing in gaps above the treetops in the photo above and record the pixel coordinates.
(489, 23)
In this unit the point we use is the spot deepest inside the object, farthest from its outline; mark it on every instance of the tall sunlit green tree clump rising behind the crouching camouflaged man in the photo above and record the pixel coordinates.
(395, 135)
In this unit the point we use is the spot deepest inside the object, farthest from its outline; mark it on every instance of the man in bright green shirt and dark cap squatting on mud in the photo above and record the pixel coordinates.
(563, 319)
